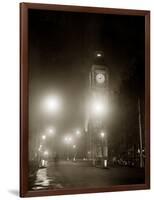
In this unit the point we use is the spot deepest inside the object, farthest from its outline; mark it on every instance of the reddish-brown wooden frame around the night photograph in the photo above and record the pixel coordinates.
(24, 97)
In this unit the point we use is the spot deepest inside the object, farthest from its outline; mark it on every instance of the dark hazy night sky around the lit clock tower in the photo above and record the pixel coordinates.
(61, 53)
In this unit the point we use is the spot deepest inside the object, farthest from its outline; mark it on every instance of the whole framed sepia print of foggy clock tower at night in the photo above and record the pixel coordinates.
(85, 99)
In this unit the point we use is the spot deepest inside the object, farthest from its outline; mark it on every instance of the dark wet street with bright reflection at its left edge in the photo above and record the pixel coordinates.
(68, 174)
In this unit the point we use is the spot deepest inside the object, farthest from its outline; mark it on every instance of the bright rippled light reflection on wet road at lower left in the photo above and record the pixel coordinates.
(42, 181)
